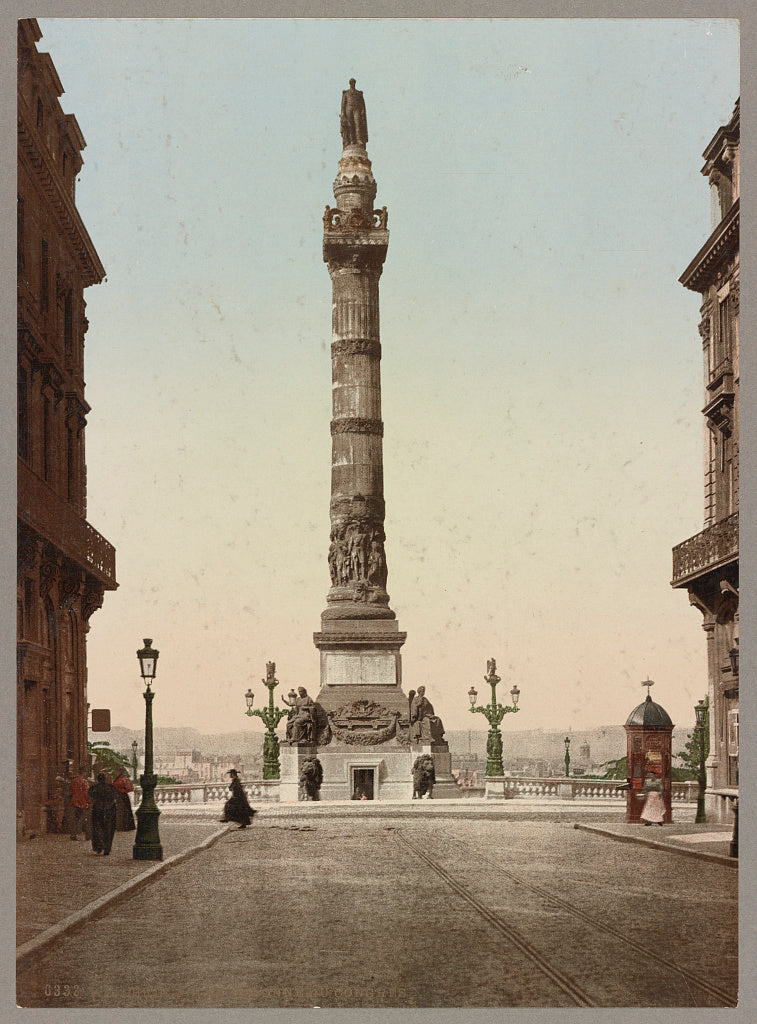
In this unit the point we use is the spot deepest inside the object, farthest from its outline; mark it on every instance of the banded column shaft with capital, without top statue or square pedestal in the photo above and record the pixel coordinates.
(356, 240)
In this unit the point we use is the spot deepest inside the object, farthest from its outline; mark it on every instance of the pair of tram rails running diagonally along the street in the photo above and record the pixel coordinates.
(564, 982)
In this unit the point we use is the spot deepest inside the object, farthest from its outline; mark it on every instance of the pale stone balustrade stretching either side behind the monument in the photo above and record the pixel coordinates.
(267, 791)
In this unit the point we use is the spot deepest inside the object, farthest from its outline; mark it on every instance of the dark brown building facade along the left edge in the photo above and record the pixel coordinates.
(64, 566)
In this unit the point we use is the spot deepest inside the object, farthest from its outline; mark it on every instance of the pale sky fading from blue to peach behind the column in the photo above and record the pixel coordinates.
(542, 378)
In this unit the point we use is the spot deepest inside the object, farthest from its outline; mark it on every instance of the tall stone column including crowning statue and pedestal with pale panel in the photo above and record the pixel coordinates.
(360, 644)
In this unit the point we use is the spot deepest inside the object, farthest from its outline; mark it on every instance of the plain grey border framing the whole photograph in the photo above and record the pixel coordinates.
(338, 10)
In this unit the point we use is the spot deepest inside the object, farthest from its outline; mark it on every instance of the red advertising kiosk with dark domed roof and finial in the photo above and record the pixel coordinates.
(650, 737)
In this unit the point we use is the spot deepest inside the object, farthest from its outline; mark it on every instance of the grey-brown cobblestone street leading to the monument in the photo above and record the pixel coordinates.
(397, 912)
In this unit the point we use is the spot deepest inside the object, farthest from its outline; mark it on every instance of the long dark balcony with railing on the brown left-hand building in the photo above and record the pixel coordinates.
(59, 523)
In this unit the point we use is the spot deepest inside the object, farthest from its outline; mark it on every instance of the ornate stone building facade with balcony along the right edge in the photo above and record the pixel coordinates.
(707, 565)
